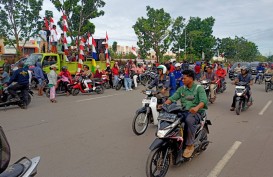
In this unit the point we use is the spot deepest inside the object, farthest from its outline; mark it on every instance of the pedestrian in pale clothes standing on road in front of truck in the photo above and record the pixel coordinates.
(52, 82)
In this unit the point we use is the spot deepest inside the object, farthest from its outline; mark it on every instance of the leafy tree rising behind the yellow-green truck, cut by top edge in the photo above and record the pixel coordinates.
(78, 13)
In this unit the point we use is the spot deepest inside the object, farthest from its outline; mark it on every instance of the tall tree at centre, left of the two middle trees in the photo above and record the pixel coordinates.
(153, 32)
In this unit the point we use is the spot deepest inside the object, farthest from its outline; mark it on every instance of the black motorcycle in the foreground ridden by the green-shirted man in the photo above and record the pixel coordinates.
(169, 145)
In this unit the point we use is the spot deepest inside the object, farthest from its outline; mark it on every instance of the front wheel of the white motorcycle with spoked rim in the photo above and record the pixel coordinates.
(138, 125)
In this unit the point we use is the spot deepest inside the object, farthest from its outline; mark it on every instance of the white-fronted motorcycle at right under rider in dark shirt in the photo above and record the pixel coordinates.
(241, 97)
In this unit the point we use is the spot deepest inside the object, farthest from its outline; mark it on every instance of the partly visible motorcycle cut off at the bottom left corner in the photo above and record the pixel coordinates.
(24, 167)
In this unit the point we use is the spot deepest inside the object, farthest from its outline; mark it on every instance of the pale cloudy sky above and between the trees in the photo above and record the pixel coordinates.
(251, 19)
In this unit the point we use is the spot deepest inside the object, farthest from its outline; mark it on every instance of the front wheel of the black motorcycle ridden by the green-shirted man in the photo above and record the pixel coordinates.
(157, 165)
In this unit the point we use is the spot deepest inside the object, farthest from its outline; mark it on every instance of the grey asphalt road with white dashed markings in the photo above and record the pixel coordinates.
(91, 136)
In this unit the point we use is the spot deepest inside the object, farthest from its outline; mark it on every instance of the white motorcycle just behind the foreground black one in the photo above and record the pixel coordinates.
(148, 113)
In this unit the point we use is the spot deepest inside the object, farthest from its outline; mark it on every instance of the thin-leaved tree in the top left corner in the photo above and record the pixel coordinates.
(19, 21)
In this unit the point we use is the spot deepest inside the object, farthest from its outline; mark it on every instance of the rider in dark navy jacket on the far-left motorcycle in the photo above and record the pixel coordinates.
(21, 77)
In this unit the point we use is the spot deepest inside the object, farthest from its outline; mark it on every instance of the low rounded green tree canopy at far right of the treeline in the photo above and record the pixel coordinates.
(238, 49)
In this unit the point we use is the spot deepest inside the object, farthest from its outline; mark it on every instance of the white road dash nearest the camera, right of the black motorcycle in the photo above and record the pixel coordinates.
(221, 164)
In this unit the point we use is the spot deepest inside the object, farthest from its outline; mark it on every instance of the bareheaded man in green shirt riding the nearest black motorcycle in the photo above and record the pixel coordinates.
(194, 99)
